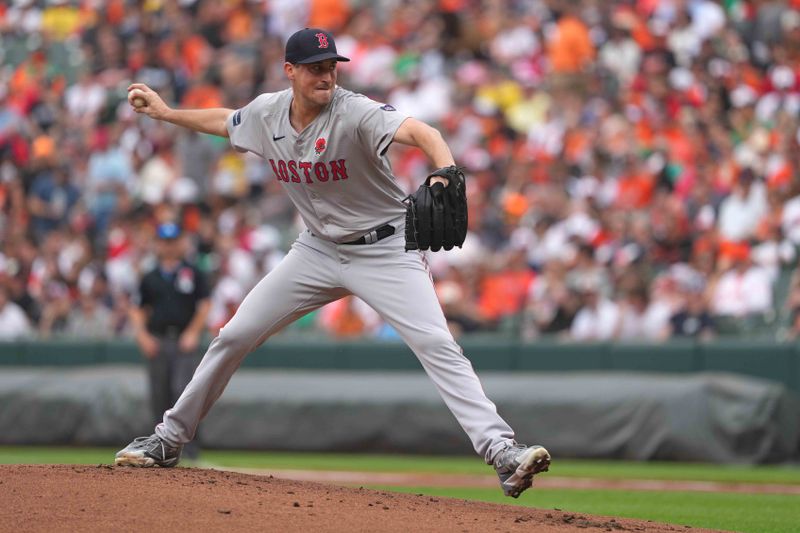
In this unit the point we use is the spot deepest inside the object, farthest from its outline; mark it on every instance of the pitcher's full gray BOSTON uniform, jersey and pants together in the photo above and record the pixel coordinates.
(337, 174)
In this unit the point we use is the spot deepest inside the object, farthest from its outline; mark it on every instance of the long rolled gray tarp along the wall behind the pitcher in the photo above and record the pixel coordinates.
(696, 417)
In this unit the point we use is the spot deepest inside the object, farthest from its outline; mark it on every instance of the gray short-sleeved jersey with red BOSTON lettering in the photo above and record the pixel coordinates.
(335, 171)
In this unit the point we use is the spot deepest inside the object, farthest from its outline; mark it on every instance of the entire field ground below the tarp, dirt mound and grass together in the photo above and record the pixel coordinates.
(243, 490)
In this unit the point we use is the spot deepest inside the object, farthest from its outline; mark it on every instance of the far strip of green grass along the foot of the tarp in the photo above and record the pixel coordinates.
(448, 465)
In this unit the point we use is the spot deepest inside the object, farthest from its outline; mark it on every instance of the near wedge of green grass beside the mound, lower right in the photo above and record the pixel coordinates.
(756, 513)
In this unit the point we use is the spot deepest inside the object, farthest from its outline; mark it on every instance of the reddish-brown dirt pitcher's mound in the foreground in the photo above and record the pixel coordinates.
(104, 498)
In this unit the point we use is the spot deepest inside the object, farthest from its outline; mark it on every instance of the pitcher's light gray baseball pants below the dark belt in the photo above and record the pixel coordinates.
(397, 284)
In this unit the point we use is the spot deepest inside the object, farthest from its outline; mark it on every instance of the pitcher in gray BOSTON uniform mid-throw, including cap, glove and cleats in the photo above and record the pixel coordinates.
(327, 147)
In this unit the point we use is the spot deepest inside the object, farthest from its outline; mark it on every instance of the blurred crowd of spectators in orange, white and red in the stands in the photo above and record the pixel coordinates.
(632, 165)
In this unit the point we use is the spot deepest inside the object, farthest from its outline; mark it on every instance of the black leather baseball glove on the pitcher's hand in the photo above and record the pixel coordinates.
(436, 216)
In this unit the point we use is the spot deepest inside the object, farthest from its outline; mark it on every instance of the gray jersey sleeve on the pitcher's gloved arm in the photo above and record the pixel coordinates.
(375, 123)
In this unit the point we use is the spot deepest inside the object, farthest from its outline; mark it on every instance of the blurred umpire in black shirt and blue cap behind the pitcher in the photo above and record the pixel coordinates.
(169, 322)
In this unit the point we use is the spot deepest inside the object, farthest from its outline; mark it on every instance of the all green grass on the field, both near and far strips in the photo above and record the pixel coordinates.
(761, 513)
